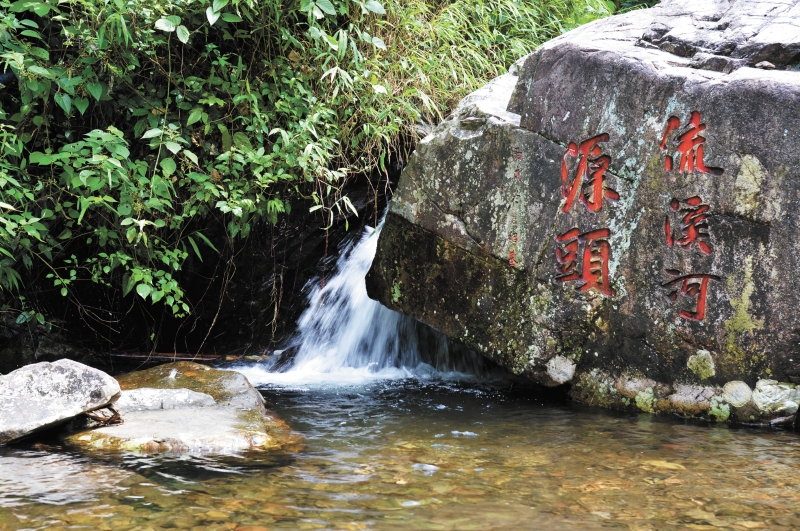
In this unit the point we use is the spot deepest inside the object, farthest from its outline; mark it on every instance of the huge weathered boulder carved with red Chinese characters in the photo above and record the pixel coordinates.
(619, 213)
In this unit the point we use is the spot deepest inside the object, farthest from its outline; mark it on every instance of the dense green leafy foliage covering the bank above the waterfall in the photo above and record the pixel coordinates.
(134, 122)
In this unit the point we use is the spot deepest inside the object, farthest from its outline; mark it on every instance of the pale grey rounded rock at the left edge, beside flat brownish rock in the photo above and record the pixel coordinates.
(43, 395)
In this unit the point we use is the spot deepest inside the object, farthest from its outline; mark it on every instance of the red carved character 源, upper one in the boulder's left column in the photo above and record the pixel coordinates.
(588, 184)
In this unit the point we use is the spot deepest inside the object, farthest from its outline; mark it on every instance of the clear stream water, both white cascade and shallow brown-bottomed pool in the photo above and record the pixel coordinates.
(400, 432)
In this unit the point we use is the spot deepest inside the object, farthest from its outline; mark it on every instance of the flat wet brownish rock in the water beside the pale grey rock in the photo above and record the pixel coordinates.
(186, 407)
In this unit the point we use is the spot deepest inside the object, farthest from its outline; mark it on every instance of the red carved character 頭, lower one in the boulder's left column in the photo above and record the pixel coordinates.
(593, 270)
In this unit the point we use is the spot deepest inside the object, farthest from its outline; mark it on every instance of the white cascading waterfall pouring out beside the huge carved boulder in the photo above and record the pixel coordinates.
(344, 337)
